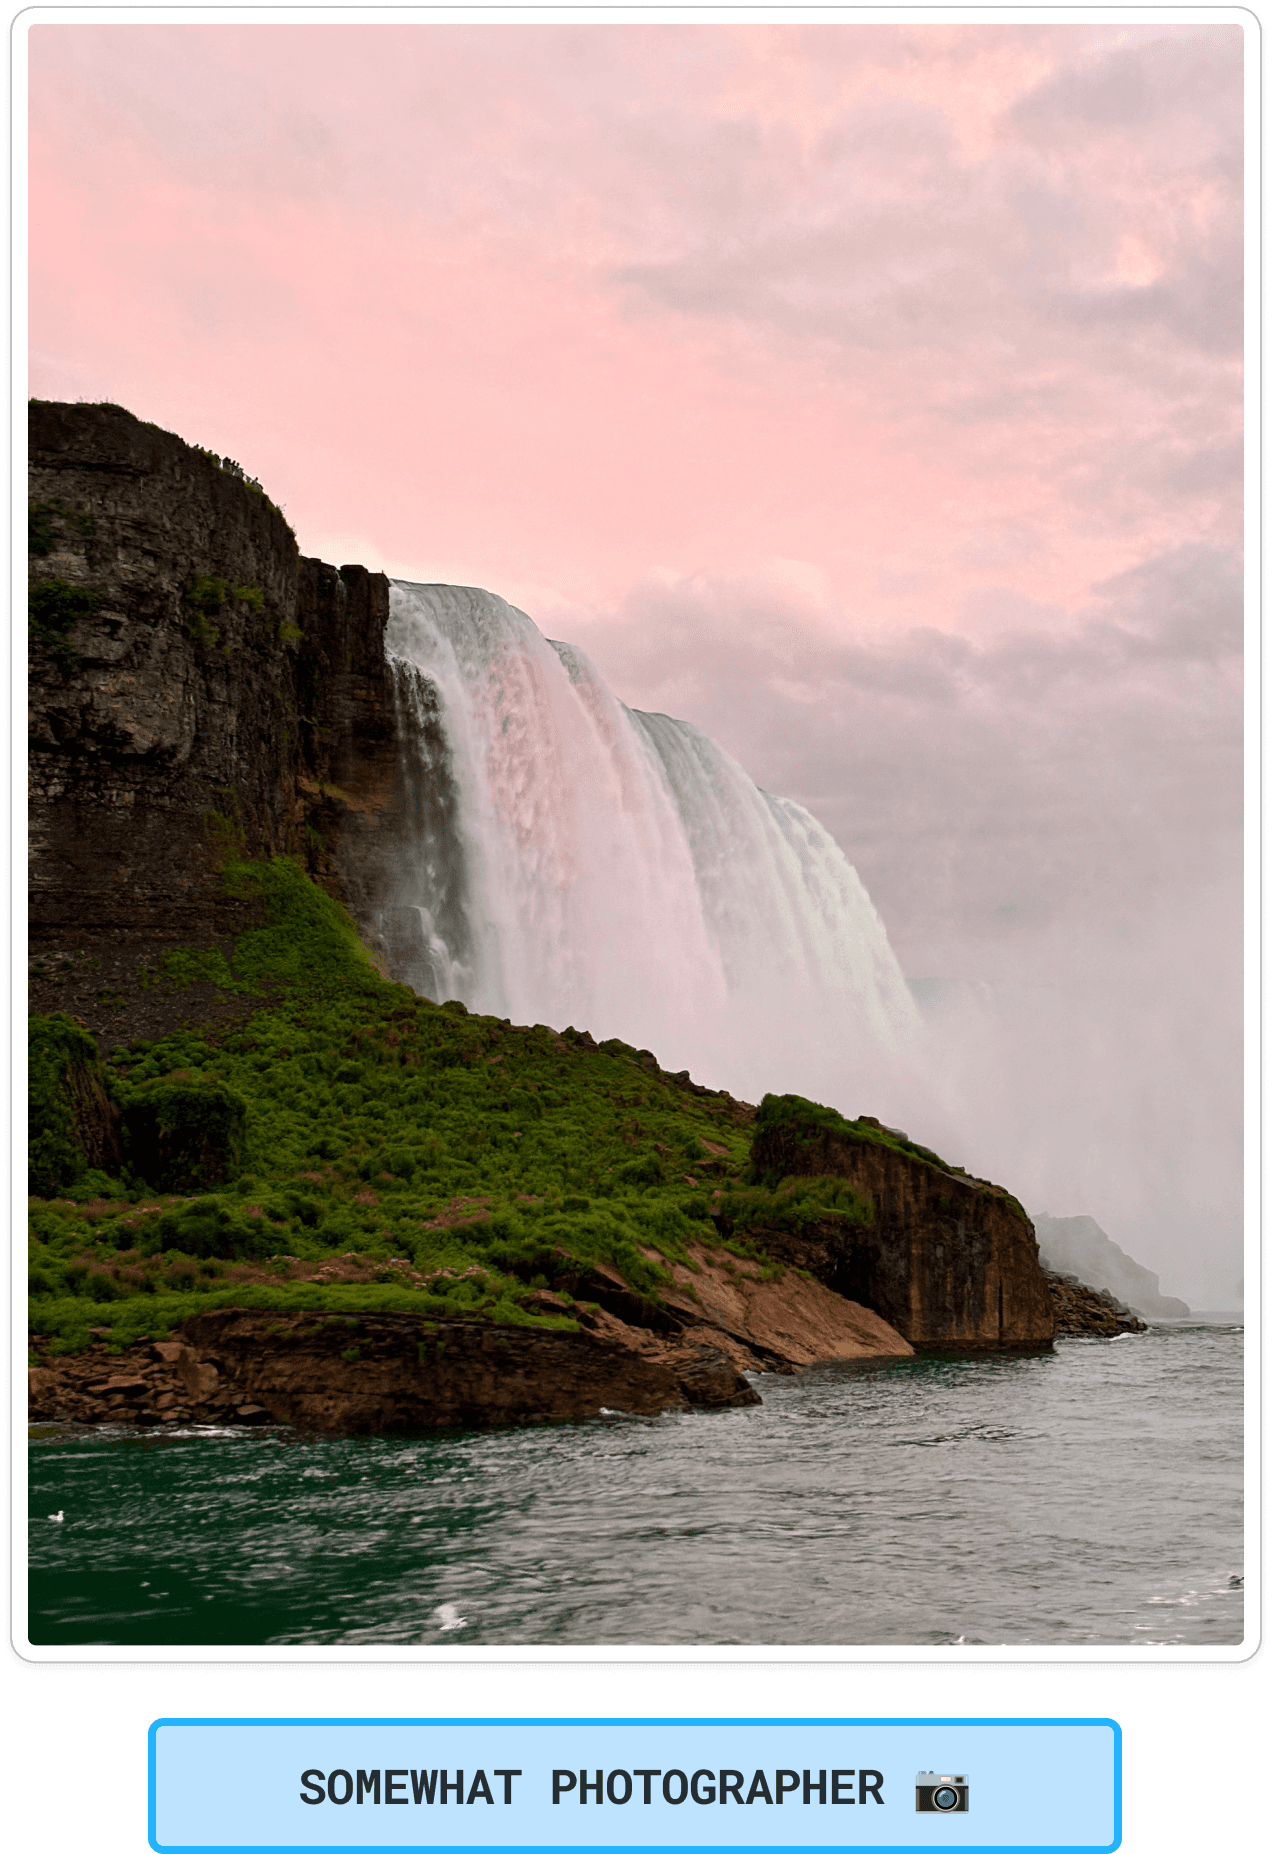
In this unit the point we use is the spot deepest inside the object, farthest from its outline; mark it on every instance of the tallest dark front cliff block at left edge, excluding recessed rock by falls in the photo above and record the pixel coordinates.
(164, 668)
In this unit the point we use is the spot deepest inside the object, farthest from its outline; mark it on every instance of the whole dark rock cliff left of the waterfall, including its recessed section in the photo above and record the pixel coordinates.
(197, 689)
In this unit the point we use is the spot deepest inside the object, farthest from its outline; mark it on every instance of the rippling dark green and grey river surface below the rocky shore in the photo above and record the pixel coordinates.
(1089, 1495)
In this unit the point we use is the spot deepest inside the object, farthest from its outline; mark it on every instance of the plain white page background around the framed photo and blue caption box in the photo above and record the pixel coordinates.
(1195, 1740)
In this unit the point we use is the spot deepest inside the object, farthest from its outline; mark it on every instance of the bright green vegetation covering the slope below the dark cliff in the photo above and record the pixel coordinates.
(459, 1158)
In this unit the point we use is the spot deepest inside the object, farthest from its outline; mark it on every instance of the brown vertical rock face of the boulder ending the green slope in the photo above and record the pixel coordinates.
(948, 1260)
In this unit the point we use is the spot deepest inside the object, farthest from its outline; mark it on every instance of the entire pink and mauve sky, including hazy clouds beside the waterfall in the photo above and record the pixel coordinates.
(869, 394)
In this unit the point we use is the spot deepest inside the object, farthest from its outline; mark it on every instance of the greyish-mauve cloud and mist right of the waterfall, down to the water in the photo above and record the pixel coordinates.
(1049, 822)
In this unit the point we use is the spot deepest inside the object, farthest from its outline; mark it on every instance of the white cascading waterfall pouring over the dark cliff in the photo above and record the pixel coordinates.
(618, 872)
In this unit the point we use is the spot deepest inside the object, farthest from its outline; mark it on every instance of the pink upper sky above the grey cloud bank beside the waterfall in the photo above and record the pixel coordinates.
(939, 314)
